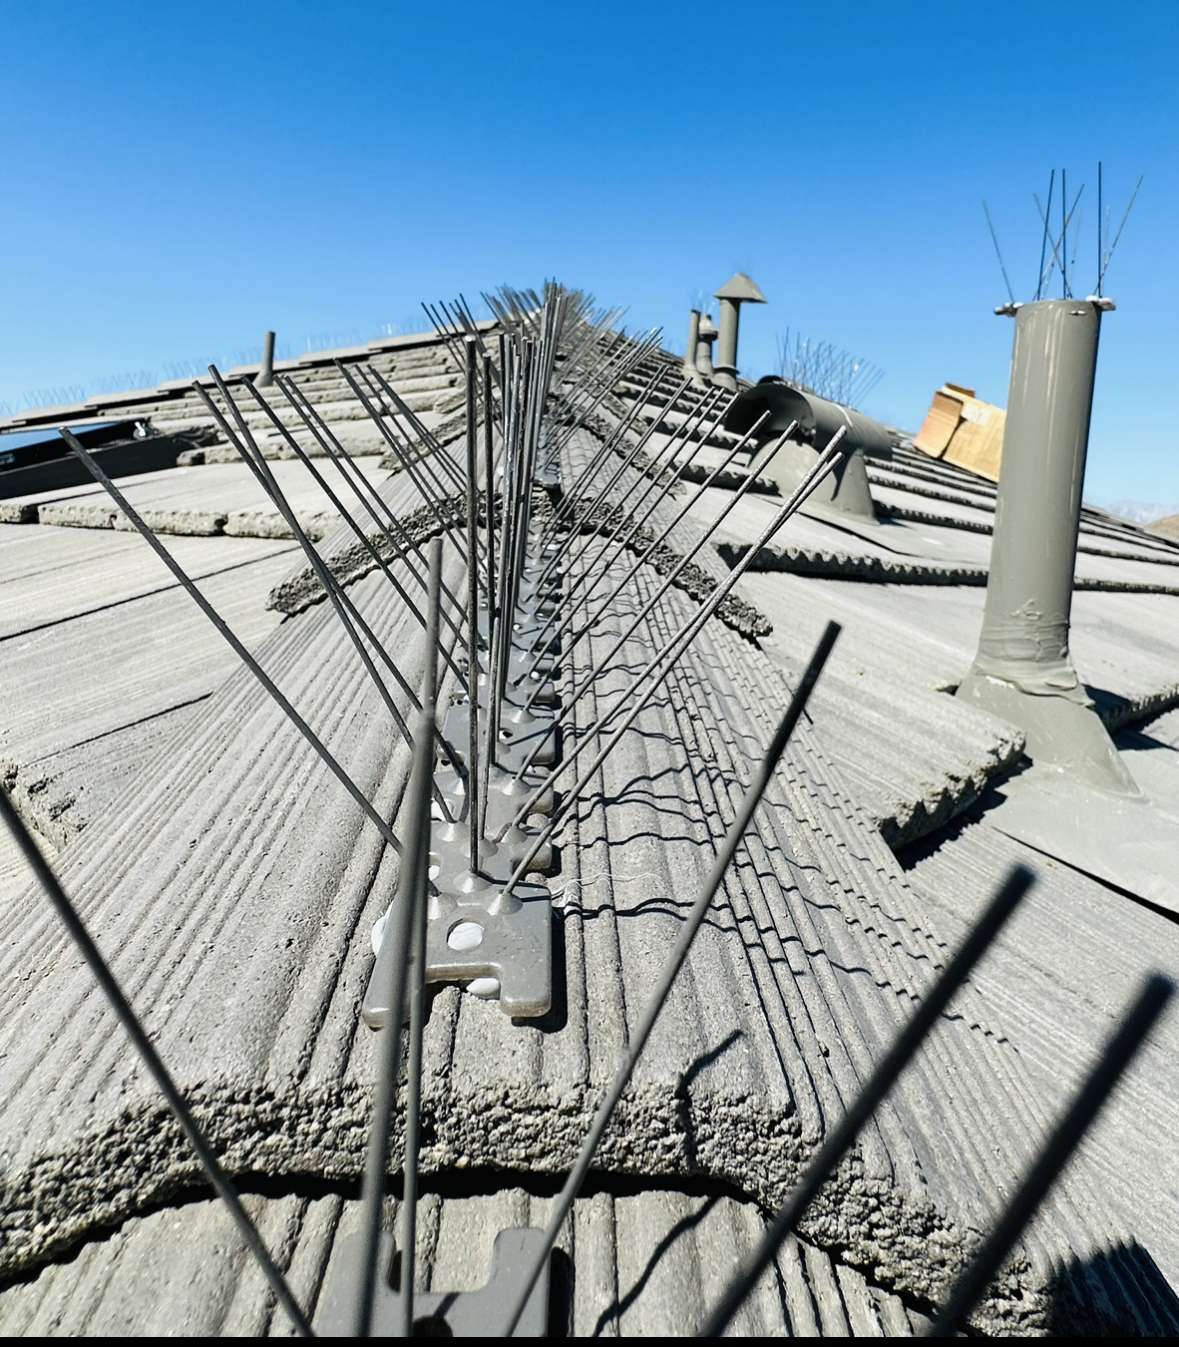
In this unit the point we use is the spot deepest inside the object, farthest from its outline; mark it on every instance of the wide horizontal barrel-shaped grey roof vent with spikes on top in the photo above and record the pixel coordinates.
(847, 488)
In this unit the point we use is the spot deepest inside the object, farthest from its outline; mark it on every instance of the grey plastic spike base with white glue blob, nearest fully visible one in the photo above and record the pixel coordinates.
(514, 950)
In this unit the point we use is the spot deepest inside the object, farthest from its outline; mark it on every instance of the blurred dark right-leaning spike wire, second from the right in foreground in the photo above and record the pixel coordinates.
(930, 1010)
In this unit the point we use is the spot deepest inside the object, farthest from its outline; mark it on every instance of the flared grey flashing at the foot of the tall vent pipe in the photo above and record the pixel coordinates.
(1062, 728)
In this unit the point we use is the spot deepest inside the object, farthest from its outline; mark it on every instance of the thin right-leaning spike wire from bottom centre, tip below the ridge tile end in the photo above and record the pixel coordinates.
(638, 1042)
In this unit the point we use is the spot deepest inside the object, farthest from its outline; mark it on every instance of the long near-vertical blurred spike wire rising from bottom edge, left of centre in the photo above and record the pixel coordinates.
(401, 929)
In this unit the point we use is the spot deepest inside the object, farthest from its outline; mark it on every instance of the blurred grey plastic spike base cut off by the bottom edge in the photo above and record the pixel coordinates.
(452, 1314)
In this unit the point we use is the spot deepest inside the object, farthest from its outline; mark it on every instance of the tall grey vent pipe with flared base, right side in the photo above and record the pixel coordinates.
(1023, 671)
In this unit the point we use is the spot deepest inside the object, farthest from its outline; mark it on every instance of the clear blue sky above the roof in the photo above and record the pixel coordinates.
(180, 178)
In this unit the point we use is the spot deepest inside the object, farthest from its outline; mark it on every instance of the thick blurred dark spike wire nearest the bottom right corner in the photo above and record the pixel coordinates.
(1103, 1080)
